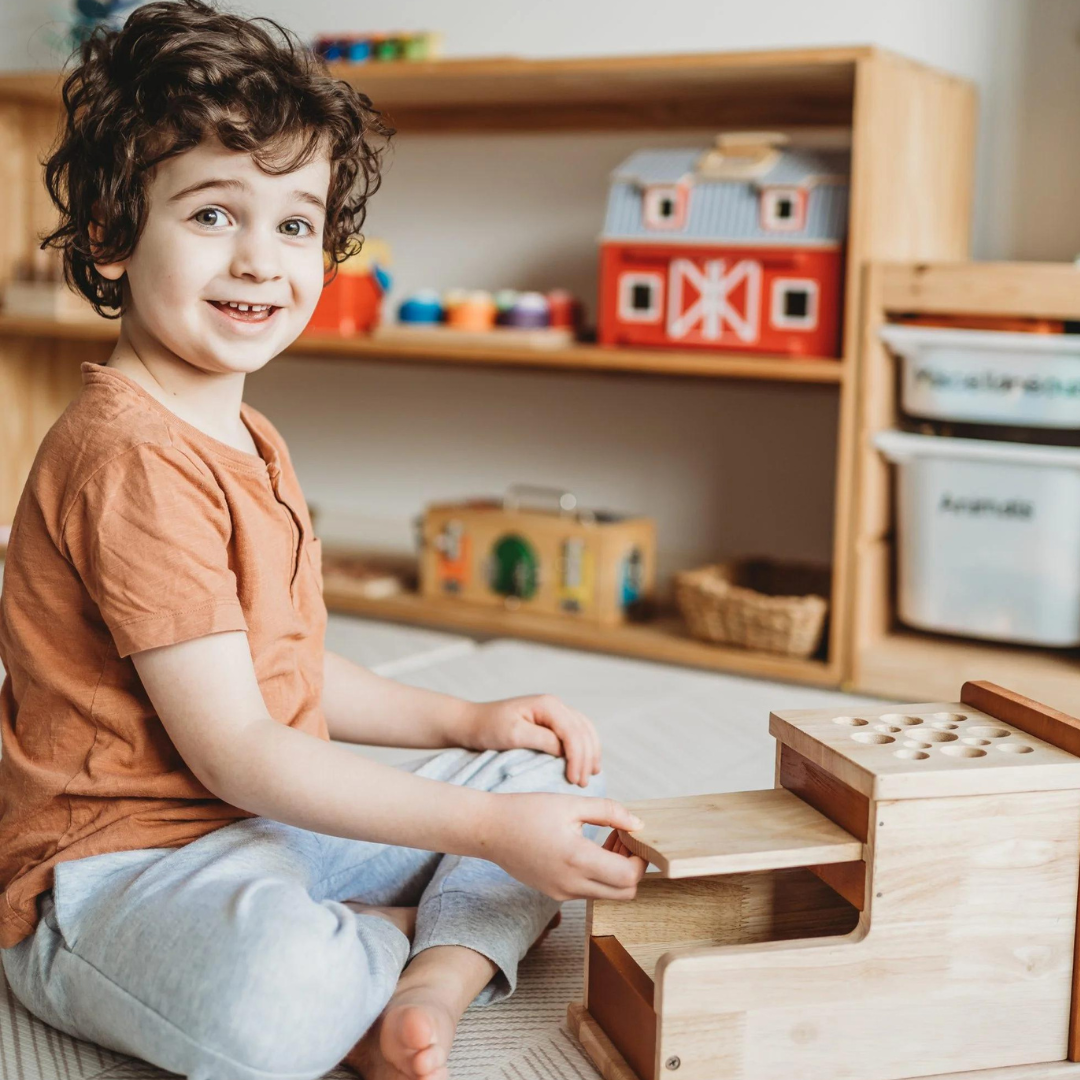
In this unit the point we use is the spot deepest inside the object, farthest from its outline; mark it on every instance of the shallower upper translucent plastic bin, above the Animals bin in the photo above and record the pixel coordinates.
(989, 376)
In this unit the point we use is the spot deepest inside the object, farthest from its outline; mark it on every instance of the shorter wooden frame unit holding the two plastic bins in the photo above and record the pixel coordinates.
(889, 659)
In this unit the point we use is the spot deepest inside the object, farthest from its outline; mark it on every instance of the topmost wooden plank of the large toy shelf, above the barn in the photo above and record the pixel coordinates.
(510, 94)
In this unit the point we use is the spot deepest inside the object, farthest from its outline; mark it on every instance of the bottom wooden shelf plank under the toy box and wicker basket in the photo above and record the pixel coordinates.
(664, 640)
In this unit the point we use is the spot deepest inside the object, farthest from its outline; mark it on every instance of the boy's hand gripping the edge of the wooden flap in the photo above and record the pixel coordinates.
(538, 840)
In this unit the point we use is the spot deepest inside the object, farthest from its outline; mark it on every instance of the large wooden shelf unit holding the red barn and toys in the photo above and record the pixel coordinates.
(912, 132)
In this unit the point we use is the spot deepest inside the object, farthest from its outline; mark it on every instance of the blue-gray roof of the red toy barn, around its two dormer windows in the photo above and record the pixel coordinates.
(730, 210)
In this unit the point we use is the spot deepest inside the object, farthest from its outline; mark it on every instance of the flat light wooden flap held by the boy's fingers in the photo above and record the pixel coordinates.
(737, 833)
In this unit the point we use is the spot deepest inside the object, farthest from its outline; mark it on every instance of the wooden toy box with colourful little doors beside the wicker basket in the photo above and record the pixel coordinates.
(591, 566)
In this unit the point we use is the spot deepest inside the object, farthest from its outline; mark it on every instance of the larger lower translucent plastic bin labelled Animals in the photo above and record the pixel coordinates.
(989, 538)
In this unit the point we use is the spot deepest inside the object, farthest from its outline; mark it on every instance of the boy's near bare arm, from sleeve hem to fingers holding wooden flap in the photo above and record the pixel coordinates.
(208, 697)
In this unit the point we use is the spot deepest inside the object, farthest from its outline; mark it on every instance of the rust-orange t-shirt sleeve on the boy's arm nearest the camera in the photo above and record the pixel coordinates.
(148, 535)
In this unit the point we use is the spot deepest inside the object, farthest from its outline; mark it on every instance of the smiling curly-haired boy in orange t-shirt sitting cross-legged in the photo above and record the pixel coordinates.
(193, 873)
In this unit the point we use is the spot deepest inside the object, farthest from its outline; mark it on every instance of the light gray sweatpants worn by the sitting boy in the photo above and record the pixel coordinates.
(234, 958)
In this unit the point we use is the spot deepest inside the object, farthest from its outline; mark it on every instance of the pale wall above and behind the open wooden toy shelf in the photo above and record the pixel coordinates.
(725, 468)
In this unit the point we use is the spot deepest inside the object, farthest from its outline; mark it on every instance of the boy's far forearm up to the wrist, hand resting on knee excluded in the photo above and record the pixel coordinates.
(364, 708)
